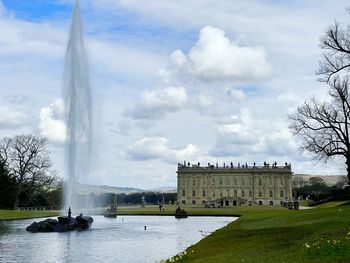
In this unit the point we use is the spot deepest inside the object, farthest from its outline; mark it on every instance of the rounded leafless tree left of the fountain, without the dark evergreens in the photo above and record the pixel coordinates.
(27, 160)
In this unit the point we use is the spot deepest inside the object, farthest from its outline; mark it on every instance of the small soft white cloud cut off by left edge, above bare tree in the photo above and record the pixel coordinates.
(11, 118)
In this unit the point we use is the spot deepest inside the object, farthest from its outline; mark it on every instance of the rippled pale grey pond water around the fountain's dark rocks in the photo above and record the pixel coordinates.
(109, 240)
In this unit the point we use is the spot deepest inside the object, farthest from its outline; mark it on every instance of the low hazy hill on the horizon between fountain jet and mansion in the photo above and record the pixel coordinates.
(86, 189)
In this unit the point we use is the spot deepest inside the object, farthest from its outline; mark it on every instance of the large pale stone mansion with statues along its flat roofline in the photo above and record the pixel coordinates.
(234, 185)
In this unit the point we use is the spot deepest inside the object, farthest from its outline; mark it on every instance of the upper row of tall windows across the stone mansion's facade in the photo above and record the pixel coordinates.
(228, 181)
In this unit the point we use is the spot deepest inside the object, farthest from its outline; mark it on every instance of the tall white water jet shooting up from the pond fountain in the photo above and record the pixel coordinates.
(77, 96)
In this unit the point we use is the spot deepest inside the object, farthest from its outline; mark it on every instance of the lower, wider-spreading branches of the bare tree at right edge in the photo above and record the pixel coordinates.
(324, 126)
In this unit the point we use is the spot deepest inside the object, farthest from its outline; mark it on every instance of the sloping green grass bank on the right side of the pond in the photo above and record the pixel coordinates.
(278, 235)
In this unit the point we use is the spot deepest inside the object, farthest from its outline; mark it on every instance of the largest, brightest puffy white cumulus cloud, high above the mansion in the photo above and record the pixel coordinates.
(215, 57)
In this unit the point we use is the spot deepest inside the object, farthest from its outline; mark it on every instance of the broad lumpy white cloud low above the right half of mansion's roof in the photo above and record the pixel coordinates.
(243, 134)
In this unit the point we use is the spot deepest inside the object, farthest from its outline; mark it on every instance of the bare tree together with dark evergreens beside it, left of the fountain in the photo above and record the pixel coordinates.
(26, 177)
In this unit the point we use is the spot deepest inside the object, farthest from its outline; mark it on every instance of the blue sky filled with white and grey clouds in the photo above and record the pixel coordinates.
(201, 81)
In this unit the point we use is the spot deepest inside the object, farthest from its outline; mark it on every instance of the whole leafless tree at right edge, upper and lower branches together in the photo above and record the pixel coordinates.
(323, 126)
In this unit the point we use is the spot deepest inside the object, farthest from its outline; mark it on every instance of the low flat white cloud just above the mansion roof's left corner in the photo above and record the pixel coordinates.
(149, 148)
